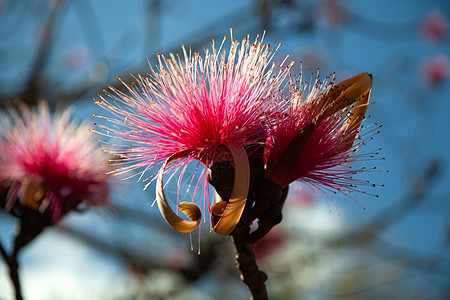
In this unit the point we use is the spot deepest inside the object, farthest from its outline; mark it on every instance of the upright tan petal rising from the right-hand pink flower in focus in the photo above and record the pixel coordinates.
(347, 93)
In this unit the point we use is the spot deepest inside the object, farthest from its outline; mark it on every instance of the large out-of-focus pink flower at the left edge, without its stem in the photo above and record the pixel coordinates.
(50, 164)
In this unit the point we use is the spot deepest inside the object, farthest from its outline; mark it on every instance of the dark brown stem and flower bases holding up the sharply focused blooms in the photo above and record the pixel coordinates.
(264, 202)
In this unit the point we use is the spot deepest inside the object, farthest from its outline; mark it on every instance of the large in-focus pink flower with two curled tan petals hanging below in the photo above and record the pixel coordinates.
(209, 108)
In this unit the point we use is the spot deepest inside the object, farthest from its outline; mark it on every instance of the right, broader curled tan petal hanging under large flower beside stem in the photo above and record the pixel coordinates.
(229, 212)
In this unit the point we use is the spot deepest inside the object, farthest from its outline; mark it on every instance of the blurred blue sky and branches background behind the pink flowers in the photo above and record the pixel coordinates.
(394, 246)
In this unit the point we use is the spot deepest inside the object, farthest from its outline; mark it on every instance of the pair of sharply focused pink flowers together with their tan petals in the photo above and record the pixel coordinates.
(229, 110)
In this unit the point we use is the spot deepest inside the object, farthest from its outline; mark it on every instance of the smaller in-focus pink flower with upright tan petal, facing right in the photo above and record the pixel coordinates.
(313, 139)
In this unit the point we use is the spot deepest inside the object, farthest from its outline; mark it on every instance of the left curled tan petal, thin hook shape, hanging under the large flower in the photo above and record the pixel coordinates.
(188, 208)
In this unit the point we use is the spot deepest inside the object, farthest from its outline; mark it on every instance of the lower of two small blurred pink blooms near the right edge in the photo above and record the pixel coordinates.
(435, 69)
